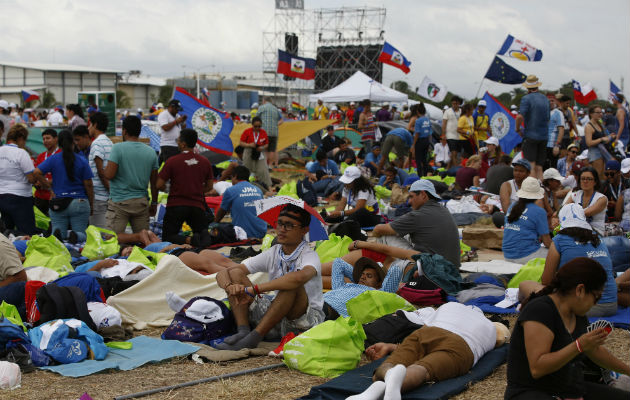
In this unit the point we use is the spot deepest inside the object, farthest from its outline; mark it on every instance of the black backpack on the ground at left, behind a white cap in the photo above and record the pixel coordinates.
(55, 302)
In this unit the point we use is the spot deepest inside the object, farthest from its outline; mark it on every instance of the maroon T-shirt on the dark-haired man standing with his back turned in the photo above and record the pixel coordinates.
(188, 173)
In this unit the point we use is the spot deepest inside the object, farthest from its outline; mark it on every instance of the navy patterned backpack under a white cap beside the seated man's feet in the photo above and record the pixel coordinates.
(186, 329)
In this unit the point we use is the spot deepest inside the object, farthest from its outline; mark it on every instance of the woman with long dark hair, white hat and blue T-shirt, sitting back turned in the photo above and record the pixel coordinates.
(525, 225)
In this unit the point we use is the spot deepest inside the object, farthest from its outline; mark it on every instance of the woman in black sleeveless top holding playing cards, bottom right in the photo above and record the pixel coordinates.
(550, 339)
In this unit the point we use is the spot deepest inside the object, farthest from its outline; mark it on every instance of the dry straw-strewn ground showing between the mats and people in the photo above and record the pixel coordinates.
(277, 384)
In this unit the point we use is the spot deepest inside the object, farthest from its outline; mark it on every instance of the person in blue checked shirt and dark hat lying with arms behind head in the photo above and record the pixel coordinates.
(366, 274)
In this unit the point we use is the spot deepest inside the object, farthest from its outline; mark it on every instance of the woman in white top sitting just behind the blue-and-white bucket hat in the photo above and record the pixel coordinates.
(593, 202)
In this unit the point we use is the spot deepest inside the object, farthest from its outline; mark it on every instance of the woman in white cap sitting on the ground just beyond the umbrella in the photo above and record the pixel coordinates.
(358, 194)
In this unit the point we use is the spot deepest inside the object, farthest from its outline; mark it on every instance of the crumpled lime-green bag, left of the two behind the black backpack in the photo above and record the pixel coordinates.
(48, 252)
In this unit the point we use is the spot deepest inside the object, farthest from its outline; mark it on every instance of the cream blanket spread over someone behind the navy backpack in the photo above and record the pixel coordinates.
(144, 304)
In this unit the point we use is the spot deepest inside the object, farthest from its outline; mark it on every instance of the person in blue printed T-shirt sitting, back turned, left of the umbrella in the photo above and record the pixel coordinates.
(238, 201)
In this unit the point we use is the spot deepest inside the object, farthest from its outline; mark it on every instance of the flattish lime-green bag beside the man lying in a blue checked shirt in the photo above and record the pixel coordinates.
(373, 304)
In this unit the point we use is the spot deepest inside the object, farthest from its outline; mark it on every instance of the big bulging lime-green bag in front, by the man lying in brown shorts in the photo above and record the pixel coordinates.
(328, 349)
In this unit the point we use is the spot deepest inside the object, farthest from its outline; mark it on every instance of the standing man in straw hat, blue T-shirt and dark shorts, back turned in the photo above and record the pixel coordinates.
(534, 112)
